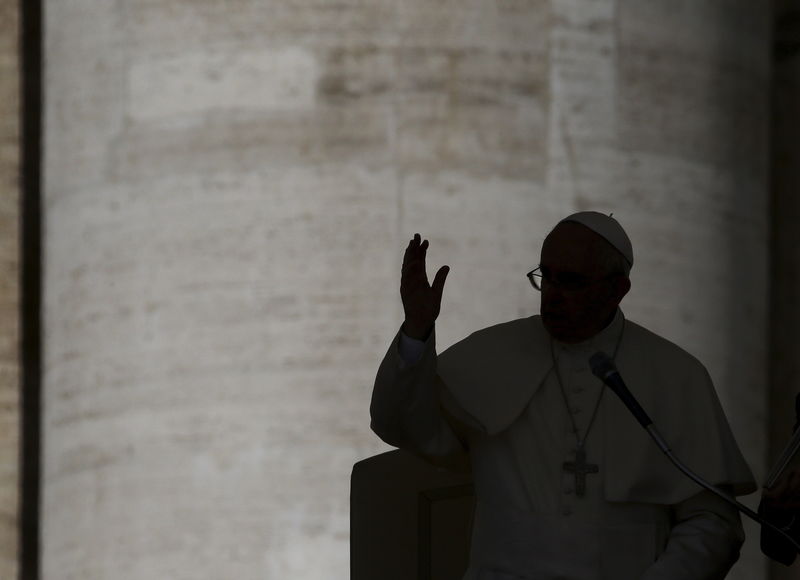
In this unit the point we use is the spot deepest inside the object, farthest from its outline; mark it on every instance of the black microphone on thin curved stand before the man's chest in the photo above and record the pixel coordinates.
(604, 369)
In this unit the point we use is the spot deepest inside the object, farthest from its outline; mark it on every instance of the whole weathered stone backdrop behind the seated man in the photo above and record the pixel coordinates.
(228, 189)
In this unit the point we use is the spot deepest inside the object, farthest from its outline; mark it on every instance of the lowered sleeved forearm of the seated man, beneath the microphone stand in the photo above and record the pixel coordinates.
(704, 542)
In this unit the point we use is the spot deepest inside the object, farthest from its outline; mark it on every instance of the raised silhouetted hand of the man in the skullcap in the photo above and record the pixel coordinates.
(421, 301)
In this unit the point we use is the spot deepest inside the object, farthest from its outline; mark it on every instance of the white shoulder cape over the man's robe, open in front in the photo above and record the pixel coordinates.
(493, 373)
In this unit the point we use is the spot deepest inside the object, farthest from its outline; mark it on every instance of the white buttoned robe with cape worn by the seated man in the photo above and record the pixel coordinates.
(495, 397)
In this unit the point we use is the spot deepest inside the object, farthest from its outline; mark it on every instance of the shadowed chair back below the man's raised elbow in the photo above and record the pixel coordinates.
(409, 520)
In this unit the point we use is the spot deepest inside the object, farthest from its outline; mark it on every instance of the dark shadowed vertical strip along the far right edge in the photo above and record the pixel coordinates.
(785, 263)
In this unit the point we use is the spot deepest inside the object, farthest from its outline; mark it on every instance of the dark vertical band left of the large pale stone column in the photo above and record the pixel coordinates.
(30, 36)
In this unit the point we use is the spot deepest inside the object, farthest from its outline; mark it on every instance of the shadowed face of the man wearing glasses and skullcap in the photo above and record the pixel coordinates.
(570, 255)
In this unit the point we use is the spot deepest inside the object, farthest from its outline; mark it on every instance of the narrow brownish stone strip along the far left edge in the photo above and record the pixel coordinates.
(9, 286)
